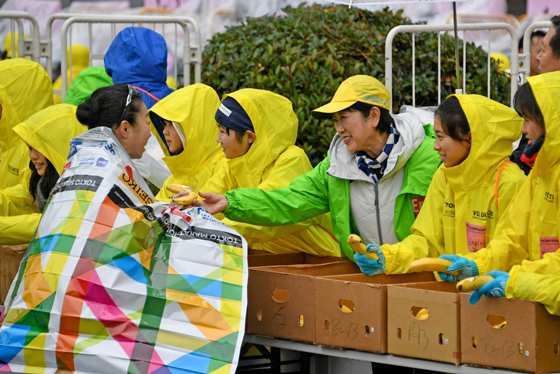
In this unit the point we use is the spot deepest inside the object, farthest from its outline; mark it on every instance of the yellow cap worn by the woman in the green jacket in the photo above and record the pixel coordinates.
(362, 88)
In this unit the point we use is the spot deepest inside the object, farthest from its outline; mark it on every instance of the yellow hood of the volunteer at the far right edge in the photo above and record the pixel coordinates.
(546, 88)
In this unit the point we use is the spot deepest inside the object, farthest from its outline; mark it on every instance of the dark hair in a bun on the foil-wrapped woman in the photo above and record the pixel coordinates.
(106, 106)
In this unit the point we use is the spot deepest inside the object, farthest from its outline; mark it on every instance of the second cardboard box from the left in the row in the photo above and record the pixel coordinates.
(351, 310)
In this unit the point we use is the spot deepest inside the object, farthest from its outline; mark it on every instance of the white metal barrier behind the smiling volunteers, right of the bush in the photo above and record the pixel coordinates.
(446, 28)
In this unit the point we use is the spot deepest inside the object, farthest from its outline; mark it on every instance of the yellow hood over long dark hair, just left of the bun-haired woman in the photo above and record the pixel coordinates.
(50, 131)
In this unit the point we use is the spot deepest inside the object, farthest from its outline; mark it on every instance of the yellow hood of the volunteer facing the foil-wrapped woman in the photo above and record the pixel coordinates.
(193, 108)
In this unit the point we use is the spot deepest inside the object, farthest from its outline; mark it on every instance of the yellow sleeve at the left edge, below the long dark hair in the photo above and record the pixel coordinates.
(20, 229)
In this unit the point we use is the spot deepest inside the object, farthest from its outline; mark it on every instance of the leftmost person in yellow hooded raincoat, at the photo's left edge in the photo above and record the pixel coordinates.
(25, 89)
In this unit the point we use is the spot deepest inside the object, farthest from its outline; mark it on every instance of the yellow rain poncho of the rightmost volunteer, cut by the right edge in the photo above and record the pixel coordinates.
(531, 229)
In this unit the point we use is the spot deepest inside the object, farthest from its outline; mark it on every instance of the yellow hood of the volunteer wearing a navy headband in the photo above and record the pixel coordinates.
(275, 125)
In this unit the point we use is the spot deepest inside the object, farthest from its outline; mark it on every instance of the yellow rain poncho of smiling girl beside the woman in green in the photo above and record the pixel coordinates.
(464, 204)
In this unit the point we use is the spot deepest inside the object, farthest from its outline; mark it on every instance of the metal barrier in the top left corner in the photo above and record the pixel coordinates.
(26, 47)
